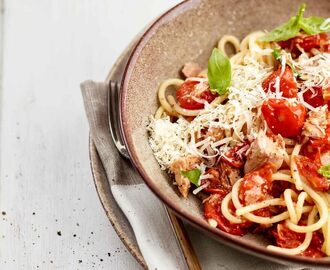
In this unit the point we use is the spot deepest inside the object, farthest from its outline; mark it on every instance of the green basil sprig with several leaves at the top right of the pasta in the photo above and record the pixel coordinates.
(311, 25)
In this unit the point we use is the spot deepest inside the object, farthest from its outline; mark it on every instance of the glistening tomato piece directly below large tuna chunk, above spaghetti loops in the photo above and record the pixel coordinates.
(256, 187)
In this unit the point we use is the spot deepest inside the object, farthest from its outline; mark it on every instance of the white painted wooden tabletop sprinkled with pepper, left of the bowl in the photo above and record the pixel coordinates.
(49, 47)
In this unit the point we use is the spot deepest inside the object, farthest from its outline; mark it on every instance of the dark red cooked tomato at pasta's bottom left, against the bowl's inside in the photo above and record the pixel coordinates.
(212, 210)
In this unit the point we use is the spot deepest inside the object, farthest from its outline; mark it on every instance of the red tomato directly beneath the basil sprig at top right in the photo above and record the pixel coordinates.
(305, 42)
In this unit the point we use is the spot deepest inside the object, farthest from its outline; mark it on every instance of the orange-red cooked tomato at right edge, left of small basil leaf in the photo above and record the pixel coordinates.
(308, 168)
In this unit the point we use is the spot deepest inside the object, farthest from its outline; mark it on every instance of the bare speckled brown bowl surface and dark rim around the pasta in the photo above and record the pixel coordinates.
(188, 32)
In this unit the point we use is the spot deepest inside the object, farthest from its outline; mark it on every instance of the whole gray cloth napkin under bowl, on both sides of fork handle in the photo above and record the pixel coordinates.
(145, 212)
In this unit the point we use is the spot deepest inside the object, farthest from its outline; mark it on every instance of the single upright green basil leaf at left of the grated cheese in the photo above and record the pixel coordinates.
(219, 72)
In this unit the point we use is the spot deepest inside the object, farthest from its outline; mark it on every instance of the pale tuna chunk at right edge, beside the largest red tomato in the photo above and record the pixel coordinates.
(316, 123)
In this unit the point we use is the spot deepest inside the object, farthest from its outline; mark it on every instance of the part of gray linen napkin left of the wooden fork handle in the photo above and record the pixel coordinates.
(143, 210)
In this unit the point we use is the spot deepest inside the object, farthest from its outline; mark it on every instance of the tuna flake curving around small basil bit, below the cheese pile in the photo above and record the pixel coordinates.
(184, 164)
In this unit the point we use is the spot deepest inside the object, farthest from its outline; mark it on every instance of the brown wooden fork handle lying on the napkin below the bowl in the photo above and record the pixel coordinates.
(184, 241)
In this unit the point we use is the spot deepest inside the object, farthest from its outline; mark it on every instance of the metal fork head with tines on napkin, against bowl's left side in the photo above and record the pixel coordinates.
(114, 124)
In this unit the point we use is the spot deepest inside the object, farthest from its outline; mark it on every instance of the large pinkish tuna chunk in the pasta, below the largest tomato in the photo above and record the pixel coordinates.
(265, 149)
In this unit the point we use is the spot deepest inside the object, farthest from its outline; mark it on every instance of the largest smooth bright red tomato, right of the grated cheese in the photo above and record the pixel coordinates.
(284, 118)
